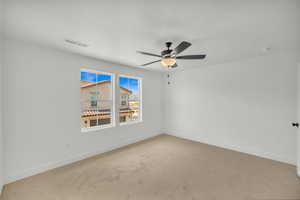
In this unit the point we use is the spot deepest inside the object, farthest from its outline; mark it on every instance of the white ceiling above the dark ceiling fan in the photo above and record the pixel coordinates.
(115, 29)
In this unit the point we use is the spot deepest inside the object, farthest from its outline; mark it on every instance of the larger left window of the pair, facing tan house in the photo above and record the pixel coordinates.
(97, 104)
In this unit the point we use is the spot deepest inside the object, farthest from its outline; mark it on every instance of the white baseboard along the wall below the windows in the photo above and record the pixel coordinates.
(45, 167)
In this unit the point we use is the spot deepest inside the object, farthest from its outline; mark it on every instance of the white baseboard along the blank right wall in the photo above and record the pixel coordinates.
(266, 155)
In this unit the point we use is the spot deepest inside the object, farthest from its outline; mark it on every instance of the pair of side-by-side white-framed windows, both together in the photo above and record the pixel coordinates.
(97, 99)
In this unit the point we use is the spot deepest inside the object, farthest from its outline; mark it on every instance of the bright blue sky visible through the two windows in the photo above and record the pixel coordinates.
(128, 83)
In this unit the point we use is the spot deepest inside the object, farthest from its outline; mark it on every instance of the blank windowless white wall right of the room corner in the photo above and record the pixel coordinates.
(246, 105)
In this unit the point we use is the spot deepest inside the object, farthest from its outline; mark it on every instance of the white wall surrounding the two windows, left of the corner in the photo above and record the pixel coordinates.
(42, 109)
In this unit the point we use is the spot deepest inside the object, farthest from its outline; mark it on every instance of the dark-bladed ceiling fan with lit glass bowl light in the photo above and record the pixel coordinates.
(169, 56)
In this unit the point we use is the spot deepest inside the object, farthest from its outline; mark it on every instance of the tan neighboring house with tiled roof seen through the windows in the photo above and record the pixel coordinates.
(96, 102)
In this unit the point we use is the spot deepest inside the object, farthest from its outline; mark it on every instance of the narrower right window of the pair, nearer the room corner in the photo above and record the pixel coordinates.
(130, 99)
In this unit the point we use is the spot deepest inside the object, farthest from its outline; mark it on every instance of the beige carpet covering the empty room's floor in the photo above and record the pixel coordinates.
(162, 168)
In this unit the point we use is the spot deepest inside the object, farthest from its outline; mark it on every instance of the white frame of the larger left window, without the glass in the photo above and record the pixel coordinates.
(113, 109)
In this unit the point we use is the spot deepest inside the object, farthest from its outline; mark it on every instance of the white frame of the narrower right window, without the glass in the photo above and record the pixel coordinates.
(140, 99)
